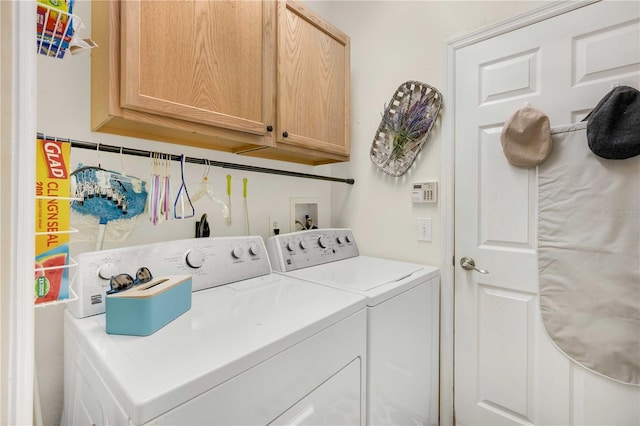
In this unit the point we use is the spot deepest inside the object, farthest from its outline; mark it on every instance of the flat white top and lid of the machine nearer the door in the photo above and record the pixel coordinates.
(375, 278)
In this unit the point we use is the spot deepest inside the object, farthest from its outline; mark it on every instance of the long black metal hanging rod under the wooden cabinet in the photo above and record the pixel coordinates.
(142, 153)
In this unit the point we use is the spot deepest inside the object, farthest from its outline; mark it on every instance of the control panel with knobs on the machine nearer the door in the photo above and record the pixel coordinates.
(303, 249)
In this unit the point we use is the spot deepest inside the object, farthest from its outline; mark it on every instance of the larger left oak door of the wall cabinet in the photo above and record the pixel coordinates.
(207, 61)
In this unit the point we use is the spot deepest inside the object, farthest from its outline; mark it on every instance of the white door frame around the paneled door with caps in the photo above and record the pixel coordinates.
(447, 301)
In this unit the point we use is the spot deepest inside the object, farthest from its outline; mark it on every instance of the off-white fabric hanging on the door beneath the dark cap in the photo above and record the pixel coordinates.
(589, 255)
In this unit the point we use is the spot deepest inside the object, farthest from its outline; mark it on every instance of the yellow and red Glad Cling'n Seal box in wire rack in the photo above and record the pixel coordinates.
(52, 221)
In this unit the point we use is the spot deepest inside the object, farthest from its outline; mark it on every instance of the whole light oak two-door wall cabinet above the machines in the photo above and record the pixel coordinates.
(267, 79)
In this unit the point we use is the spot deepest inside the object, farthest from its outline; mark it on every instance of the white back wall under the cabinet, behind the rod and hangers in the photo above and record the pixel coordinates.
(64, 111)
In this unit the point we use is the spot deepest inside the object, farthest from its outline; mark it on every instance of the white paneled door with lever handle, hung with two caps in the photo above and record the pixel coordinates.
(507, 371)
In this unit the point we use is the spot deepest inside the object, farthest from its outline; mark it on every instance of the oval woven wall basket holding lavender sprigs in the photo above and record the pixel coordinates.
(405, 126)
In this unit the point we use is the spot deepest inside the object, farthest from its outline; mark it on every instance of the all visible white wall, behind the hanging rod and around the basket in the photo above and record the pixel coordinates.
(392, 42)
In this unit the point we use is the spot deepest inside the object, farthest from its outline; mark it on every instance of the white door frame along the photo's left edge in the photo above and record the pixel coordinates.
(18, 134)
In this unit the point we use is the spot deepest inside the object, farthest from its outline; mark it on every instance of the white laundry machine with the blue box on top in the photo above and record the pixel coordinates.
(255, 348)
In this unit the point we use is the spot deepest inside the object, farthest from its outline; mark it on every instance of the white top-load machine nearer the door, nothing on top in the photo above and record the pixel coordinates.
(402, 318)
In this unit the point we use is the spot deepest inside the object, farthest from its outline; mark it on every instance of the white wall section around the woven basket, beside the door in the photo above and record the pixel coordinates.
(392, 42)
